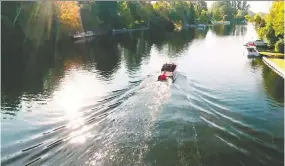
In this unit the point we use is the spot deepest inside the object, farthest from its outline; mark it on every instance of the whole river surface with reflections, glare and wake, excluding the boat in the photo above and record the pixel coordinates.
(98, 103)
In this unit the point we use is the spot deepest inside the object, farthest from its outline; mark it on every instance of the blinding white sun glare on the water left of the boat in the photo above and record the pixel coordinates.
(72, 97)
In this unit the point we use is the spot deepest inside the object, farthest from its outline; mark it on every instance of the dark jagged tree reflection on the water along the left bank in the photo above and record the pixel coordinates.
(36, 73)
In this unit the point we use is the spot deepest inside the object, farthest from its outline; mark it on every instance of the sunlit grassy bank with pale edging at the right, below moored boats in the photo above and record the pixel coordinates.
(277, 65)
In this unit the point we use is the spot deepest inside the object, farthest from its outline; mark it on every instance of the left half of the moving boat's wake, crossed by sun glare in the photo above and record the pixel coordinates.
(123, 116)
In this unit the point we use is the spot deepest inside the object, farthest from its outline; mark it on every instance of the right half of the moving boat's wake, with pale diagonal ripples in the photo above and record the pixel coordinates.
(225, 127)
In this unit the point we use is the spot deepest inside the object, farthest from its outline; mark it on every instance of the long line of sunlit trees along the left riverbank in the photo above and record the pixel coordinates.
(41, 21)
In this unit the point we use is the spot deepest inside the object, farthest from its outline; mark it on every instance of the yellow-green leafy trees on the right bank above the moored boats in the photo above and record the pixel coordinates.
(270, 27)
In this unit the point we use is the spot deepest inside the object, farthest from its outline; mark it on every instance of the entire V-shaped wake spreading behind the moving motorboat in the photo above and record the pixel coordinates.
(150, 122)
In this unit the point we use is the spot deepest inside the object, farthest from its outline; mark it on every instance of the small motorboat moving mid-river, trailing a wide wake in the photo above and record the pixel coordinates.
(169, 70)
